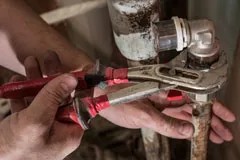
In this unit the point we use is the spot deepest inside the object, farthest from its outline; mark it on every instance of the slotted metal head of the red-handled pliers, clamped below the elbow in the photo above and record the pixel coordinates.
(190, 81)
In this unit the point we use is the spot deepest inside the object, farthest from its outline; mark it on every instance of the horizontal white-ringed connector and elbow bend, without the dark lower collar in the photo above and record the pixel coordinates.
(179, 33)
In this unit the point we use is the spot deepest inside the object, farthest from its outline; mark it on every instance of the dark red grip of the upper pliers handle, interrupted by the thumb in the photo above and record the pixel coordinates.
(17, 90)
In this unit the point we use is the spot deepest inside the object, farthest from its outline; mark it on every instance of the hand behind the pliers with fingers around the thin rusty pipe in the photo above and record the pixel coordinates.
(169, 119)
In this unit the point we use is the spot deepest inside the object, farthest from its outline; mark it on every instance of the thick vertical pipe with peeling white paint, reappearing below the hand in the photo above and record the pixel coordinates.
(133, 33)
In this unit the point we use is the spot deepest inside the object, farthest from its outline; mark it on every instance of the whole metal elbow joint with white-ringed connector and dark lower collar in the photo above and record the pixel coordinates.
(196, 35)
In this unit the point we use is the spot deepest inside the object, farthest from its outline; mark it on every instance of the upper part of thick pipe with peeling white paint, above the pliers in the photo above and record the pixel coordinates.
(132, 27)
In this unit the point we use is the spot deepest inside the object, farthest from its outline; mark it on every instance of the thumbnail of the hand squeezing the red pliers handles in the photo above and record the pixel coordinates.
(69, 83)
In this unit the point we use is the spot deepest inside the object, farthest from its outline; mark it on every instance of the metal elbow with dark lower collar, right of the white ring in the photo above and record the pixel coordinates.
(204, 48)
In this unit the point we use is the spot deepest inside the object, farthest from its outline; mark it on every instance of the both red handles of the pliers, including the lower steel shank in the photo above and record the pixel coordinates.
(81, 110)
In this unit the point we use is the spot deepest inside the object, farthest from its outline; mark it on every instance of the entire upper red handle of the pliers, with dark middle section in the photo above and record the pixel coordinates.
(29, 88)
